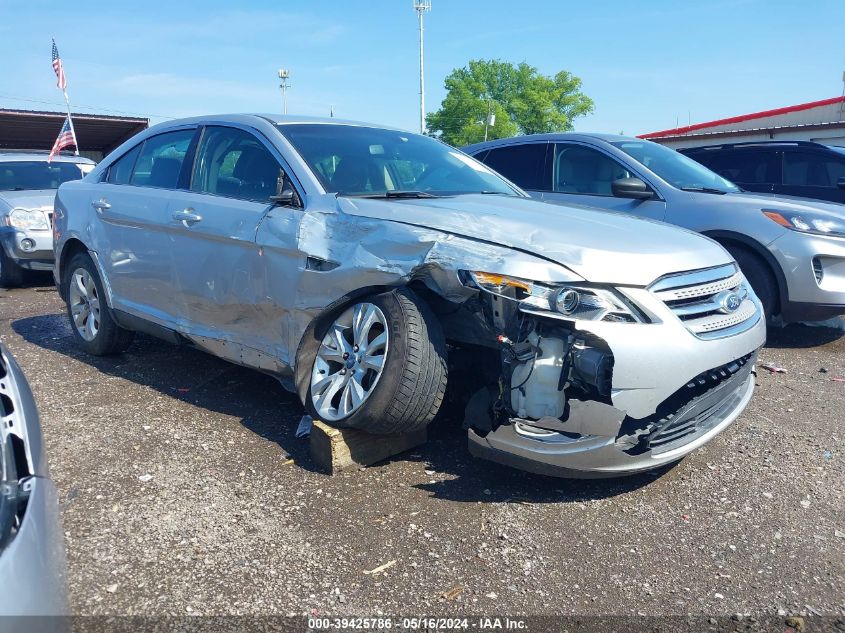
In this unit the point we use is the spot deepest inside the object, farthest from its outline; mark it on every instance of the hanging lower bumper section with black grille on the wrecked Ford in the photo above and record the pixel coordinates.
(688, 419)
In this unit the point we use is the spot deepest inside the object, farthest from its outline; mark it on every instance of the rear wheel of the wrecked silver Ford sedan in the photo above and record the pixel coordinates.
(90, 318)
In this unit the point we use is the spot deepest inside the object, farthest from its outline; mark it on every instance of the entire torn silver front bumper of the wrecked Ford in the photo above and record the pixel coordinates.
(664, 379)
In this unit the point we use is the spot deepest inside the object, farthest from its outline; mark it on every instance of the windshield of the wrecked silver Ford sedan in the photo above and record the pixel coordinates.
(363, 161)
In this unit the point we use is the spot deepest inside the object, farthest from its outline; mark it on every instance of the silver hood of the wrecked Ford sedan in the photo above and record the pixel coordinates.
(600, 246)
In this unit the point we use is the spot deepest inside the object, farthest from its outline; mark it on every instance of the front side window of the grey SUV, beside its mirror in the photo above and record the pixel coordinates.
(579, 169)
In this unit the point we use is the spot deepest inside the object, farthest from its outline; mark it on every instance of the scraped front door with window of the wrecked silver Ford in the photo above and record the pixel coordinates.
(221, 273)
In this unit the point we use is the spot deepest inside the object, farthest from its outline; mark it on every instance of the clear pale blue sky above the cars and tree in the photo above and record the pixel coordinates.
(647, 65)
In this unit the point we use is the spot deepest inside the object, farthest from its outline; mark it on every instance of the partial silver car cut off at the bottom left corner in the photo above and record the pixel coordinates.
(32, 563)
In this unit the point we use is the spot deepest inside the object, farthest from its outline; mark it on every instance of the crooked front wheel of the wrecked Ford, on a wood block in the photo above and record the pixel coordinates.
(378, 366)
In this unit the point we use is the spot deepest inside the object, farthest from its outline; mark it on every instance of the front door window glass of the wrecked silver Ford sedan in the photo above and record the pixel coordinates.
(235, 164)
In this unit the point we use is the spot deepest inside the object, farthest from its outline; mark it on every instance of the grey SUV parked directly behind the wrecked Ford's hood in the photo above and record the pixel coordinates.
(791, 250)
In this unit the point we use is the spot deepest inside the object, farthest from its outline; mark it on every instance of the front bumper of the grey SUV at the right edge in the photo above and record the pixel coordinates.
(807, 298)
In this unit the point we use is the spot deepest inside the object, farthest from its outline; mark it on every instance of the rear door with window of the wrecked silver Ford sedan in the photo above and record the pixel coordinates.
(133, 241)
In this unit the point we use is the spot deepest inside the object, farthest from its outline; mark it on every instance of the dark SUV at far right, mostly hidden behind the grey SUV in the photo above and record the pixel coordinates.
(792, 168)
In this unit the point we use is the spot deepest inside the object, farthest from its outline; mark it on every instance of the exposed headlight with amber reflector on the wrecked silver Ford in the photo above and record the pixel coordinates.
(567, 301)
